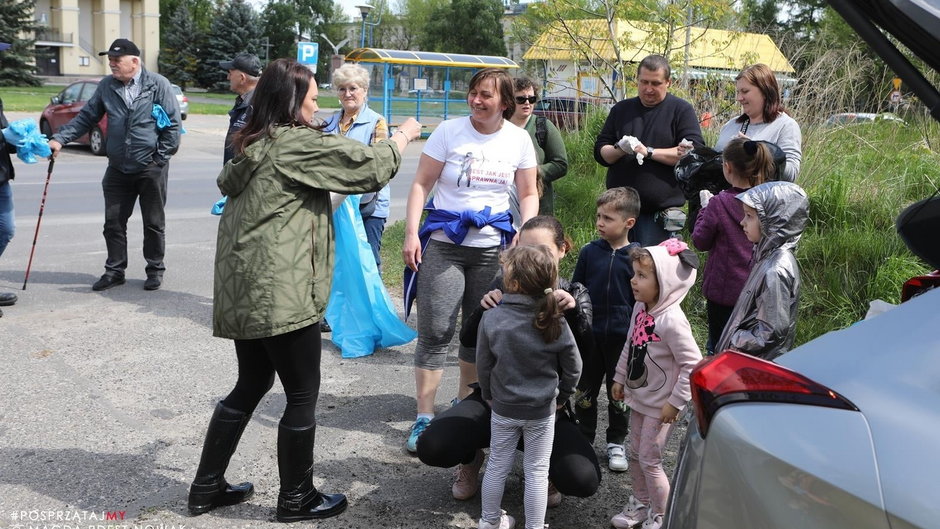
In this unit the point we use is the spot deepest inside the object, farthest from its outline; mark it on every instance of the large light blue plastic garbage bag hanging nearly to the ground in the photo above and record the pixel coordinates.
(360, 310)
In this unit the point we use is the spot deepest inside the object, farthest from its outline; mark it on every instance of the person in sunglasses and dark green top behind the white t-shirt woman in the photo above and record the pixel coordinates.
(549, 146)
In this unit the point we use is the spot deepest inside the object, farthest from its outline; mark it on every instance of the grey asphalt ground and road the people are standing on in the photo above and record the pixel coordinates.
(105, 396)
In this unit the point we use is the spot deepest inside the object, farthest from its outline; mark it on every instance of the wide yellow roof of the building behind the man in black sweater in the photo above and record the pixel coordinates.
(571, 40)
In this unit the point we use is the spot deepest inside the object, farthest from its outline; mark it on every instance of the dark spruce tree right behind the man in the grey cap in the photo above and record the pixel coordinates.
(236, 29)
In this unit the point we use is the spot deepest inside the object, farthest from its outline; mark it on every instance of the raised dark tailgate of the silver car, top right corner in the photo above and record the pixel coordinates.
(915, 23)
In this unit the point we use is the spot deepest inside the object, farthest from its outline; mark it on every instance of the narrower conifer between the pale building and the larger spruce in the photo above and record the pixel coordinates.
(178, 54)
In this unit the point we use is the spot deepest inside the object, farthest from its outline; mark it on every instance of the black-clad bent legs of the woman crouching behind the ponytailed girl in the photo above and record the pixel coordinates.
(454, 436)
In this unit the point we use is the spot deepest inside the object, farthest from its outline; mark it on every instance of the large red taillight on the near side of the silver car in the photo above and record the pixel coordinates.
(736, 377)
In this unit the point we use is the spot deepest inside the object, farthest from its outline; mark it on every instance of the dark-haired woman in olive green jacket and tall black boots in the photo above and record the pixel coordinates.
(274, 259)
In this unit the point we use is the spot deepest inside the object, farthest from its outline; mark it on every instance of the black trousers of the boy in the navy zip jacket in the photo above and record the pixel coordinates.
(603, 365)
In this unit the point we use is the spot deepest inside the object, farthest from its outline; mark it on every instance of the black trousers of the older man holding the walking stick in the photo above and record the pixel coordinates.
(121, 191)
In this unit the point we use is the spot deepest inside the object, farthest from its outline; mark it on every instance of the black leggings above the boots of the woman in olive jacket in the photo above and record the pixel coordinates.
(295, 357)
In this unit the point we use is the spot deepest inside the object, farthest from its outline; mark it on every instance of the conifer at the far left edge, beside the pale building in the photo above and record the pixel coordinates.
(16, 63)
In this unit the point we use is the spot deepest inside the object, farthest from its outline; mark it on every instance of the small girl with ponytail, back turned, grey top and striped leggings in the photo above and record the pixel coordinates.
(528, 366)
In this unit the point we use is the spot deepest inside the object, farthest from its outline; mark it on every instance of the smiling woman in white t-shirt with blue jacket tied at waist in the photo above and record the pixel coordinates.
(471, 163)
